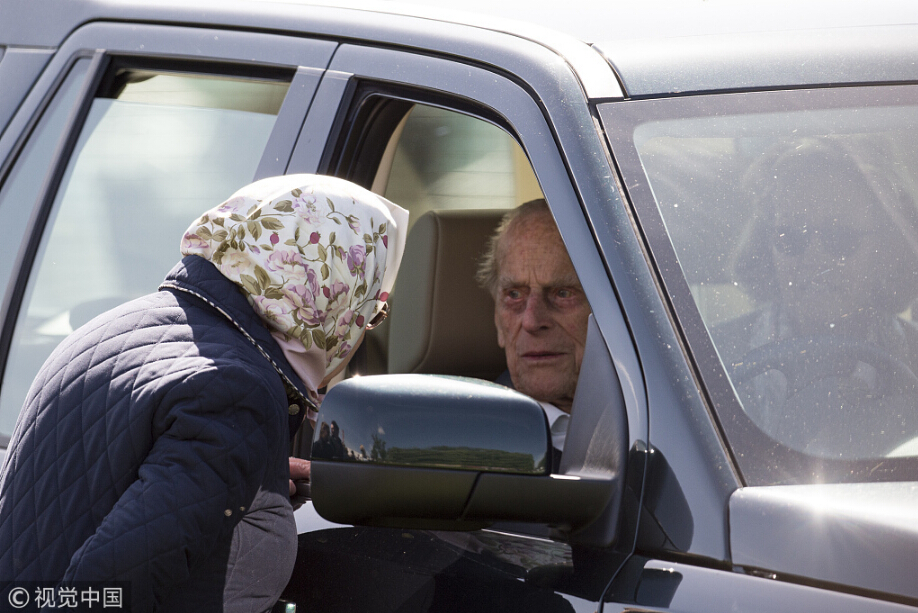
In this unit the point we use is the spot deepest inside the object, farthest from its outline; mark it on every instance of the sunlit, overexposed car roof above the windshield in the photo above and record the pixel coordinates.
(665, 47)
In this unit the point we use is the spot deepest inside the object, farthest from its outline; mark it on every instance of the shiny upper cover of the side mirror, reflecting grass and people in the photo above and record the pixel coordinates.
(473, 426)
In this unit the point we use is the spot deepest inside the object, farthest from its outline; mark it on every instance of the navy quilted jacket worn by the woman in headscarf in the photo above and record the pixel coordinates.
(153, 448)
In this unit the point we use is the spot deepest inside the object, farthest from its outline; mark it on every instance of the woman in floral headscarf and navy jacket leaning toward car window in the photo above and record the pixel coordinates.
(152, 449)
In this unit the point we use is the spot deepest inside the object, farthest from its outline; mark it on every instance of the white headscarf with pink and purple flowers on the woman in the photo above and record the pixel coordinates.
(316, 257)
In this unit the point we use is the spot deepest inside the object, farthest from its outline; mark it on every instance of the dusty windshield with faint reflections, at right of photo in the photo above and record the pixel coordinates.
(793, 217)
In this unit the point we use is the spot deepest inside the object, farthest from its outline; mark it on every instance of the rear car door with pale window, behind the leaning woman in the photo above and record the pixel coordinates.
(130, 133)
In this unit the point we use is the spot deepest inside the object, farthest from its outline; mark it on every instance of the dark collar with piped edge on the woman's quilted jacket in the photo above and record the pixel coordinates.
(197, 276)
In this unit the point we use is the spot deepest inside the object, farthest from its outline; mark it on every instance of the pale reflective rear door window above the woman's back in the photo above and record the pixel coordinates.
(157, 148)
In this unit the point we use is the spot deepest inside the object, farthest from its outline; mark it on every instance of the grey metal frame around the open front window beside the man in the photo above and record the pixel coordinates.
(504, 100)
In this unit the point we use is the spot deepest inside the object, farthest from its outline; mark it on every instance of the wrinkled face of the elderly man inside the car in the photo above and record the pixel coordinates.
(540, 311)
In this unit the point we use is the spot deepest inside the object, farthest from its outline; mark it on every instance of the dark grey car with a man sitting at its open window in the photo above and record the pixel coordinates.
(736, 184)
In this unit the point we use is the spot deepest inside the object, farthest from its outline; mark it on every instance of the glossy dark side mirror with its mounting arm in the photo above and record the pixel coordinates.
(434, 452)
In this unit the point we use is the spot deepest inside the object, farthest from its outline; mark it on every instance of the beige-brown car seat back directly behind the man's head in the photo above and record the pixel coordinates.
(442, 322)
